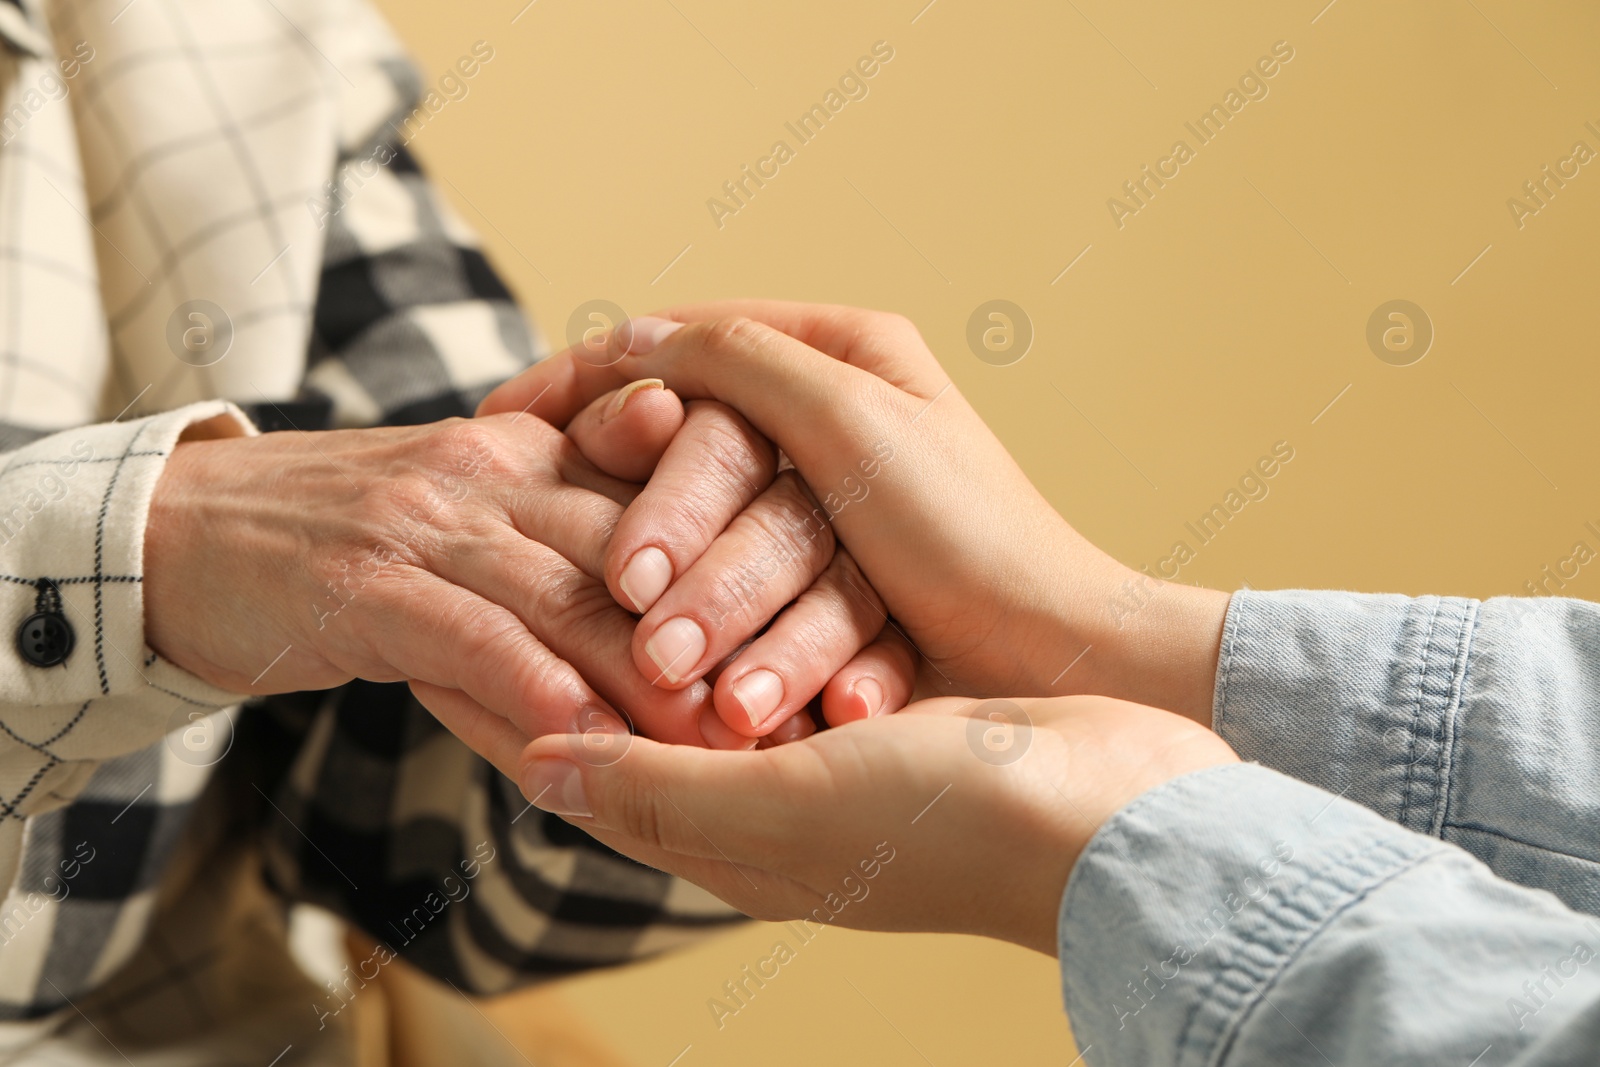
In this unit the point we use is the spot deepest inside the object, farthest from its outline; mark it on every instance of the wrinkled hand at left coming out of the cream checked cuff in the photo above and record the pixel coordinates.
(457, 554)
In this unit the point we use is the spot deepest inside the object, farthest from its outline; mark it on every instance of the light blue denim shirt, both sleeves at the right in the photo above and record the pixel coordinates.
(1417, 877)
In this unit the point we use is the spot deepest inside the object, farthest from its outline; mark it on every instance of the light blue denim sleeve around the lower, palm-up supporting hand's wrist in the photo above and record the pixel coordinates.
(1238, 917)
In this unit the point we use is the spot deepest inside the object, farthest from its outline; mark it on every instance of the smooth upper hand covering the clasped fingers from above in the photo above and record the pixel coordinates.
(994, 589)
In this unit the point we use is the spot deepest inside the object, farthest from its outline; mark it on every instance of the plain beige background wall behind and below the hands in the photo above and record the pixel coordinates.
(1223, 318)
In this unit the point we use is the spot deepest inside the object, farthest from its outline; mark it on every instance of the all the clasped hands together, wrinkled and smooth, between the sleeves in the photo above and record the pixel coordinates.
(612, 588)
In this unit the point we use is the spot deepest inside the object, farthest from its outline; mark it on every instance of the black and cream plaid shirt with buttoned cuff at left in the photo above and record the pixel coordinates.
(182, 151)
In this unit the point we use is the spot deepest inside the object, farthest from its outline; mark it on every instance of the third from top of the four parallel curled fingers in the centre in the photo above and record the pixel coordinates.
(804, 647)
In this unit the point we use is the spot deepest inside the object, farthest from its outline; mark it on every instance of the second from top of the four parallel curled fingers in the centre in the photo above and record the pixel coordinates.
(767, 557)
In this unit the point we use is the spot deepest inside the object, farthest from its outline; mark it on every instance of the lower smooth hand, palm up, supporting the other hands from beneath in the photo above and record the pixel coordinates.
(961, 817)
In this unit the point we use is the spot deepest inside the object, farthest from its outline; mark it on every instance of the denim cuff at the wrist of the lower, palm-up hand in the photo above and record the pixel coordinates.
(1191, 901)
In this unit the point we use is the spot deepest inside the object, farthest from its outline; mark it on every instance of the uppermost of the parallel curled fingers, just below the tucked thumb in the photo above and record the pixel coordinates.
(711, 473)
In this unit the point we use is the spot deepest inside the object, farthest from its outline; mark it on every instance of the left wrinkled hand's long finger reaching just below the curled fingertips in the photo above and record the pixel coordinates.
(580, 623)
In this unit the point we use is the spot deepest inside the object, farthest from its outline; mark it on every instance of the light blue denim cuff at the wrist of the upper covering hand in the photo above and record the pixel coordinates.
(1356, 693)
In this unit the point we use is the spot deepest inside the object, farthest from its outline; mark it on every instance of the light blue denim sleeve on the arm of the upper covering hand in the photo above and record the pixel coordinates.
(1478, 724)
